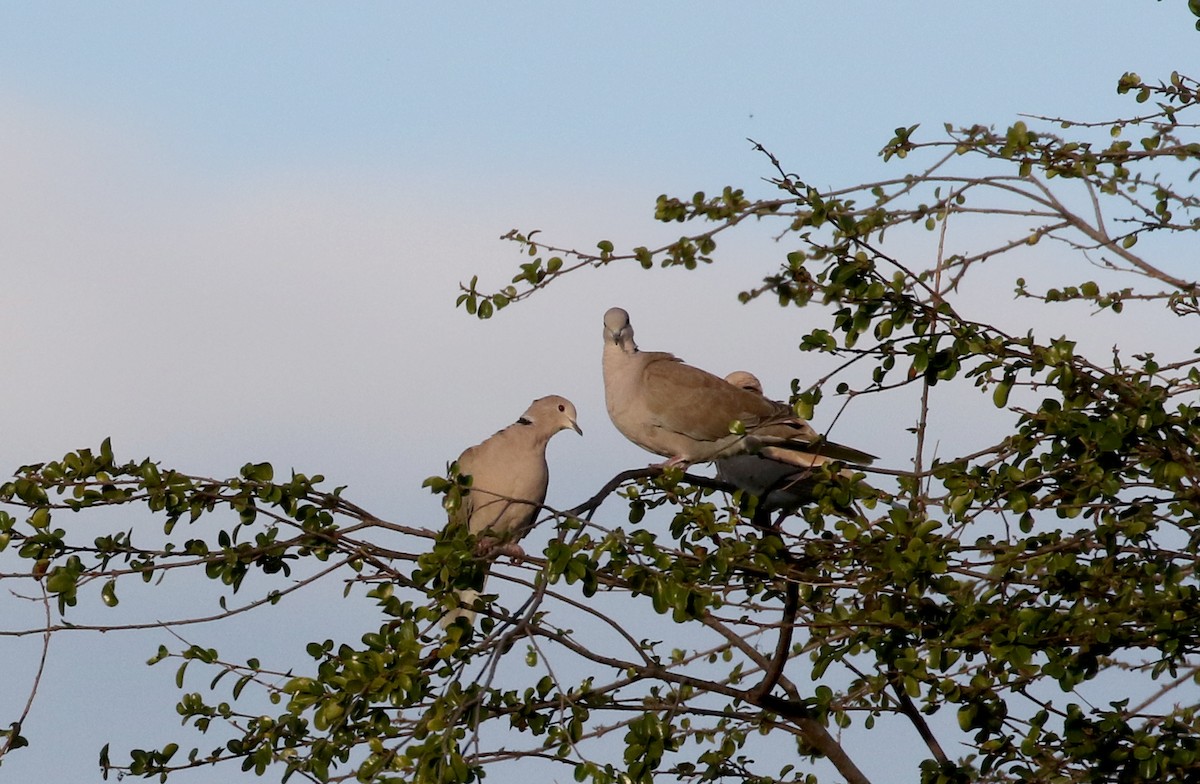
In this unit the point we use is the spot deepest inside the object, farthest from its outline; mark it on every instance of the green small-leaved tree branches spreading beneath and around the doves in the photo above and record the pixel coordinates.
(1013, 589)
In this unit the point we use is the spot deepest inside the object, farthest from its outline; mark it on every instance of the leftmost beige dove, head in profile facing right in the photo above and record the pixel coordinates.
(509, 480)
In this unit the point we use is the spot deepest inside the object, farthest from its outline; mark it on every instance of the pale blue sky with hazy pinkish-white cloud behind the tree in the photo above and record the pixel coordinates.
(235, 232)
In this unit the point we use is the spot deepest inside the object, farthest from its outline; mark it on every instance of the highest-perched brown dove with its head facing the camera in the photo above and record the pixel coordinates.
(688, 415)
